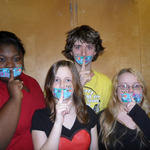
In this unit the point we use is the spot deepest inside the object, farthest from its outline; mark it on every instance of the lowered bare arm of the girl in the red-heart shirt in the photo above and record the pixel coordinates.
(94, 139)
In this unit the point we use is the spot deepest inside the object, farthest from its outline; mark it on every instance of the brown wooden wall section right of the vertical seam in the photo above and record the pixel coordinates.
(124, 26)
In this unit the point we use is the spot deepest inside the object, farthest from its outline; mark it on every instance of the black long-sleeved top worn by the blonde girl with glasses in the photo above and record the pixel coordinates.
(129, 141)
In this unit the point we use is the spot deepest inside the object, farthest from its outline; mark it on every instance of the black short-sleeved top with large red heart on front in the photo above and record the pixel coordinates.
(41, 121)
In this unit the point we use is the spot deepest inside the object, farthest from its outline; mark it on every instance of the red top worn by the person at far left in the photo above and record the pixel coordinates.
(31, 101)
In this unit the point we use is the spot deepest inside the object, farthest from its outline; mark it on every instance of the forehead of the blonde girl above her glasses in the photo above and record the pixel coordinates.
(127, 78)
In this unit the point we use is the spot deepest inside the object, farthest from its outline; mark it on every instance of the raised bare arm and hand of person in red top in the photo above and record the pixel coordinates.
(10, 112)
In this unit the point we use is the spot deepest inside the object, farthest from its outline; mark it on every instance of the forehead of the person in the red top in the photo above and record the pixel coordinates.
(8, 50)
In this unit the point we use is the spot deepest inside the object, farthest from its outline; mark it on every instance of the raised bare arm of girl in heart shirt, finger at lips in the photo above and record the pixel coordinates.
(40, 140)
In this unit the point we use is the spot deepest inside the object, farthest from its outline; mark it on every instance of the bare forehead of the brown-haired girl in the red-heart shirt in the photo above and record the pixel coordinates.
(63, 72)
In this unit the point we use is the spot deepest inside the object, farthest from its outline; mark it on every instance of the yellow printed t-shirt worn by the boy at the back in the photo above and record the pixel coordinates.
(97, 91)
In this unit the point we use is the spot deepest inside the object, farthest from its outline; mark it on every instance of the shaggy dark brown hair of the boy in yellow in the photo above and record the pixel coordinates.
(85, 34)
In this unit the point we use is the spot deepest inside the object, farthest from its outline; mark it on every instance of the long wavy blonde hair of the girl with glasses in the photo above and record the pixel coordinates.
(108, 117)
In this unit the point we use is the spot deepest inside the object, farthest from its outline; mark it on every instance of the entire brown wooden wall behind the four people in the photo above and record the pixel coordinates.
(124, 26)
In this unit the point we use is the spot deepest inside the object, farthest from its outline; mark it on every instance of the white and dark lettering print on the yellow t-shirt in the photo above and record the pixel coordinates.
(92, 99)
